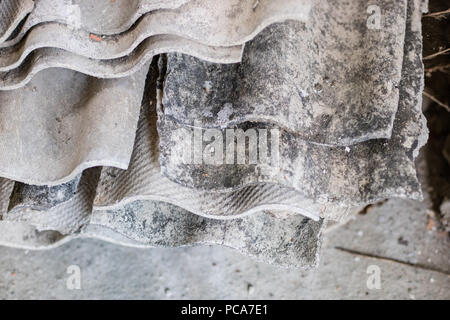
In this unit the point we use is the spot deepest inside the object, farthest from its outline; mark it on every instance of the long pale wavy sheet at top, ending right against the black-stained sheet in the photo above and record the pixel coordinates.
(214, 23)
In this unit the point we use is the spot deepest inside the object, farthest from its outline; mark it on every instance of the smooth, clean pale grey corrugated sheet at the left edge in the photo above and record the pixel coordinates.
(63, 122)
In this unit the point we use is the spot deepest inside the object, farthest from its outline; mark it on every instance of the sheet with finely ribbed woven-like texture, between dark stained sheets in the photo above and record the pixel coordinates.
(143, 181)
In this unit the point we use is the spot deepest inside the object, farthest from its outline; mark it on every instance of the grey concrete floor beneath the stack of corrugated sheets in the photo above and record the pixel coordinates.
(398, 237)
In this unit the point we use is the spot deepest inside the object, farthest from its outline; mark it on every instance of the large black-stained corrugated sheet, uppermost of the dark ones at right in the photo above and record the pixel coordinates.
(330, 80)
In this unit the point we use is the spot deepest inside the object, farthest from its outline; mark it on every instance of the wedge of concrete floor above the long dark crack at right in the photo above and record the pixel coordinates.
(399, 232)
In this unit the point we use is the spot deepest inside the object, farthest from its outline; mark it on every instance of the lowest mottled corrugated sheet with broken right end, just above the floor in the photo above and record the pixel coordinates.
(293, 242)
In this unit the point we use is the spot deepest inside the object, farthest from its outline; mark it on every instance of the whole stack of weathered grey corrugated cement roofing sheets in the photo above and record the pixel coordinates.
(117, 118)
